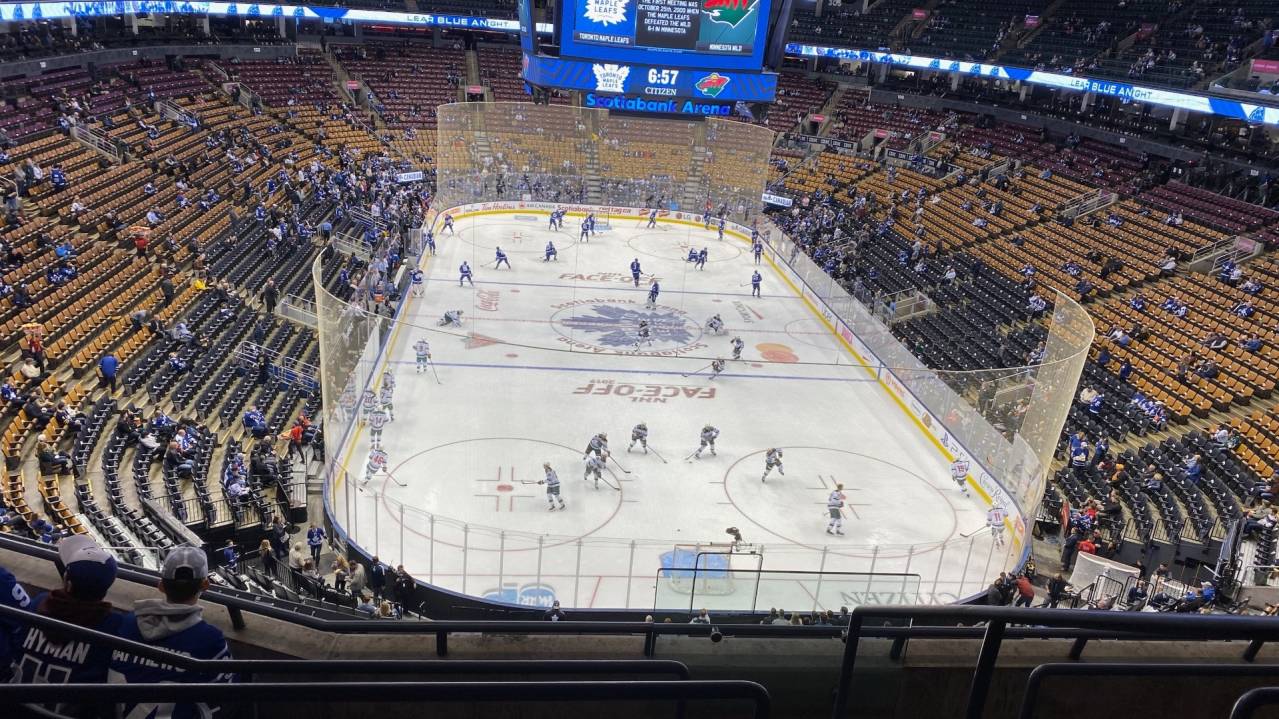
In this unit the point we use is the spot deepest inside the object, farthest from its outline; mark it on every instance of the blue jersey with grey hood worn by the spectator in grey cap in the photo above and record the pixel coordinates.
(177, 628)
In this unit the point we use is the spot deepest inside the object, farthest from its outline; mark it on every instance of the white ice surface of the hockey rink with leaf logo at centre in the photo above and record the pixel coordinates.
(547, 358)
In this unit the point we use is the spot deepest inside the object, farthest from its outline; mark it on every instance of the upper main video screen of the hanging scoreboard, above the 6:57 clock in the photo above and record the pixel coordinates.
(686, 34)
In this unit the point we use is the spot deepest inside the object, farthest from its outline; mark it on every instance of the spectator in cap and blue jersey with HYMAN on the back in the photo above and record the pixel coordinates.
(49, 658)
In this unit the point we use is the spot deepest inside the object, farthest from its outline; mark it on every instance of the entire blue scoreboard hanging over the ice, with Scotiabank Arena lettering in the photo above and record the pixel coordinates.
(682, 57)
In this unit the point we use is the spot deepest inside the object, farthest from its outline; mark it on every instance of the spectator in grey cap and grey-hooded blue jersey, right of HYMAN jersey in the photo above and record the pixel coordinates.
(175, 622)
